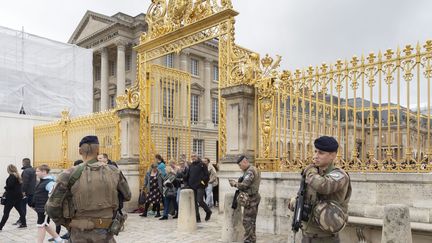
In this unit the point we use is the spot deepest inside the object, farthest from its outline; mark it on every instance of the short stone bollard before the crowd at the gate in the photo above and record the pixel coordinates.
(187, 217)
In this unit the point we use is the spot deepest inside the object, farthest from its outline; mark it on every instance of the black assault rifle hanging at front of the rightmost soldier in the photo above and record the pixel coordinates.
(302, 210)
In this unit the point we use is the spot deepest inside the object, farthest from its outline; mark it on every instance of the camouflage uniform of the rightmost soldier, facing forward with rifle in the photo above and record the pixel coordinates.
(331, 184)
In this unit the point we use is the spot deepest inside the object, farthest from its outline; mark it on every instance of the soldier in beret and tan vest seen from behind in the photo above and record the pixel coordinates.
(95, 201)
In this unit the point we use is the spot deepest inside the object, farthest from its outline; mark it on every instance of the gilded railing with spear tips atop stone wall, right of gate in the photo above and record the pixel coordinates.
(378, 107)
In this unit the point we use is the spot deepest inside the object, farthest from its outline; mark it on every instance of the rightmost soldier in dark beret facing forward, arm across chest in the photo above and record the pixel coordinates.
(328, 192)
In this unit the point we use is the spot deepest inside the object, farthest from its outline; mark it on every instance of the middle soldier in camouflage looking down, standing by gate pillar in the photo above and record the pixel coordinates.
(249, 196)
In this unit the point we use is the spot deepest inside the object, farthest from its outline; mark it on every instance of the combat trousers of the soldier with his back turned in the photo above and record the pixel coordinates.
(93, 236)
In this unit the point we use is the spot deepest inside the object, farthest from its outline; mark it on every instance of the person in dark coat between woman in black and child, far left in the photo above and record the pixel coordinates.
(28, 185)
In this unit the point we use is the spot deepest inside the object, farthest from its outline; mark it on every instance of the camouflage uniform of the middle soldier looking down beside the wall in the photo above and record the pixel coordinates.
(250, 185)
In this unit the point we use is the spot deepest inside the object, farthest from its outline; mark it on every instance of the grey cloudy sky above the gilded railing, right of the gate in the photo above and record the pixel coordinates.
(312, 31)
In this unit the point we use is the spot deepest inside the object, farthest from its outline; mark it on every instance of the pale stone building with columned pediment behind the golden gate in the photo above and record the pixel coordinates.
(114, 69)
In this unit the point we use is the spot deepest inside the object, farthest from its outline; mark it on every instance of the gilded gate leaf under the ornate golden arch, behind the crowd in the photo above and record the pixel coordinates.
(170, 113)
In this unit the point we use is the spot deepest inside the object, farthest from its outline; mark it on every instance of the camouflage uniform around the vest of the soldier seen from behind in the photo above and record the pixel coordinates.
(100, 219)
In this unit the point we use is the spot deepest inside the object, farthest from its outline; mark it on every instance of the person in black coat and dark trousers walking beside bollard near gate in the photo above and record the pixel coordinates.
(197, 178)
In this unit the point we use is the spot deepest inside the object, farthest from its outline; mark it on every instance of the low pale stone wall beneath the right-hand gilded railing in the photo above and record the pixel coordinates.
(371, 192)
